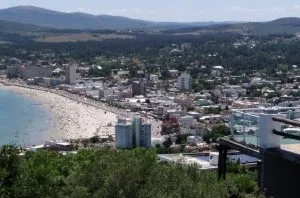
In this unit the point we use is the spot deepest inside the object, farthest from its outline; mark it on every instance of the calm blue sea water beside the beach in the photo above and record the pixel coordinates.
(23, 121)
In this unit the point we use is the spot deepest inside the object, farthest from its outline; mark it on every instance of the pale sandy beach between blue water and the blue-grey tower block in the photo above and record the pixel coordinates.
(71, 119)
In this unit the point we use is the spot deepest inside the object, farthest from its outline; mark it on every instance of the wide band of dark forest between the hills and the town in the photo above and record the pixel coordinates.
(261, 53)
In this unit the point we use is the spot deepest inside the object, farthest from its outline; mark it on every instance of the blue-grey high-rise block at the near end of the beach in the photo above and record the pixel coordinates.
(133, 133)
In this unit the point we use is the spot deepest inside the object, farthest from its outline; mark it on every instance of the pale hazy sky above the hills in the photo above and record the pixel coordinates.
(174, 10)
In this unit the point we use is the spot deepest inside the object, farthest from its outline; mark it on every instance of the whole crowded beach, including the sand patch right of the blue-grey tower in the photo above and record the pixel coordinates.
(75, 116)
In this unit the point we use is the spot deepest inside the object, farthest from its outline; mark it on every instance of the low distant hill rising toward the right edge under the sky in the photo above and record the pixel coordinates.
(289, 25)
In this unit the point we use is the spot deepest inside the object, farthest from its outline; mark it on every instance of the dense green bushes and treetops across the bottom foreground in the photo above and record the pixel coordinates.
(112, 173)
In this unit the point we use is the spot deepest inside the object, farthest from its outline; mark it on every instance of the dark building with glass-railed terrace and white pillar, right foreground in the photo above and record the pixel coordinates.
(279, 165)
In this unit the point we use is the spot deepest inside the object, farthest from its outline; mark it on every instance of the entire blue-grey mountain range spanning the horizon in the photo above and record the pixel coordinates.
(30, 18)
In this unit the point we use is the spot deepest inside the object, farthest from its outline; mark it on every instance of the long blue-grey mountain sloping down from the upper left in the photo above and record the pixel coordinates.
(60, 20)
